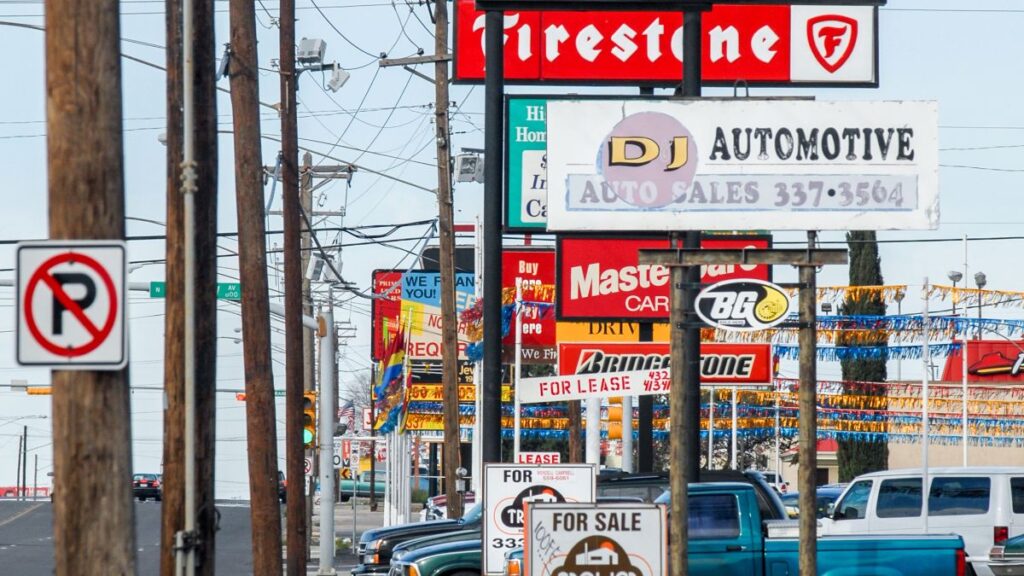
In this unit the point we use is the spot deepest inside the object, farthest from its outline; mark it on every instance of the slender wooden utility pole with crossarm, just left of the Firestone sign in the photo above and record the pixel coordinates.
(446, 217)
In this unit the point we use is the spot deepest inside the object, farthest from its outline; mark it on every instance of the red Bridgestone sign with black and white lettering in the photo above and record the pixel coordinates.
(739, 364)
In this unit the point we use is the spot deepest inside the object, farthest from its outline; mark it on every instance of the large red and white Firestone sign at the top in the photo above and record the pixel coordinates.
(759, 45)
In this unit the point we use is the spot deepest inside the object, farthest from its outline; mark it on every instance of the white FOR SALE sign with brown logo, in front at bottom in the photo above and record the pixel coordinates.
(613, 540)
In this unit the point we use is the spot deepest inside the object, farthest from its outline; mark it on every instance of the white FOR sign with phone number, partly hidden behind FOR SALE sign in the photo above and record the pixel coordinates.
(507, 488)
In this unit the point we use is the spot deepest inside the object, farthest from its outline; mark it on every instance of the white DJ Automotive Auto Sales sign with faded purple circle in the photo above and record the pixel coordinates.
(742, 164)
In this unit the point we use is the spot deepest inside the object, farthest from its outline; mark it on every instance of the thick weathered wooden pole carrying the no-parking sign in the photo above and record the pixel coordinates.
(92, 409)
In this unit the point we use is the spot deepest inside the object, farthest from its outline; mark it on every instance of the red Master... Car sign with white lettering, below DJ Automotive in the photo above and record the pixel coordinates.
(600, 278)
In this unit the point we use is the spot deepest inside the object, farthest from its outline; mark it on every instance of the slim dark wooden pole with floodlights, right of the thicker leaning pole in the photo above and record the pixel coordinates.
(294, 360)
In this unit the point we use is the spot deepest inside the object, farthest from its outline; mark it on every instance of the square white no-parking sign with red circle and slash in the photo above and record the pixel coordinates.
(71, 306)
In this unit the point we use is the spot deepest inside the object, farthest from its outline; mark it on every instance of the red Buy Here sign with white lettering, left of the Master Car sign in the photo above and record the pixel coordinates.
(536, 269)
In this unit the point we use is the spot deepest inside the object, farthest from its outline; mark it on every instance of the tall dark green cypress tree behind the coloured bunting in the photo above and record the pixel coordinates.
(858, 457)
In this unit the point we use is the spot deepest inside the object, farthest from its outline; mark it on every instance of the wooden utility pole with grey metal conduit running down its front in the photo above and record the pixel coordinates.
(205, 290)
